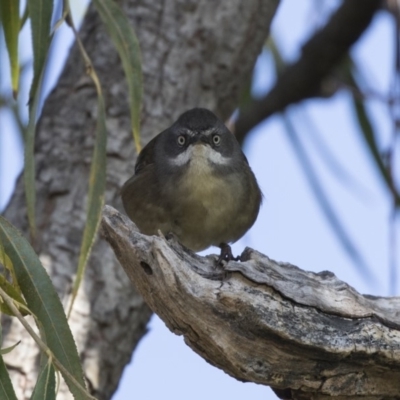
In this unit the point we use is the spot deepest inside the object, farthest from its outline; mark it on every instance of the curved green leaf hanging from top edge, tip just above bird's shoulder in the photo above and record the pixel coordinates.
(127, 45)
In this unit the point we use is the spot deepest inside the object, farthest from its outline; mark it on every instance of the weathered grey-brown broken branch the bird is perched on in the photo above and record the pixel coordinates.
(309, 335)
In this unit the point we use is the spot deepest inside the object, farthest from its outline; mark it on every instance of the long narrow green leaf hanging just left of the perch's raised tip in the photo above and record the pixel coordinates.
(97, 186)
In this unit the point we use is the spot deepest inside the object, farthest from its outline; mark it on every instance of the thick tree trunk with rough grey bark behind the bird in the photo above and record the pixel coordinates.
(195, 53)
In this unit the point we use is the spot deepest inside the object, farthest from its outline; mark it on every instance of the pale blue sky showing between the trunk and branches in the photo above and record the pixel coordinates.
(291, 226)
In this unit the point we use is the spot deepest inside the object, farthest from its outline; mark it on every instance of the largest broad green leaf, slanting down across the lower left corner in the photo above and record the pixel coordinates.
(43, 300)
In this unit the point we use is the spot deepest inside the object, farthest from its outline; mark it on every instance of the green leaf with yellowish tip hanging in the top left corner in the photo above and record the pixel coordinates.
(9, 11)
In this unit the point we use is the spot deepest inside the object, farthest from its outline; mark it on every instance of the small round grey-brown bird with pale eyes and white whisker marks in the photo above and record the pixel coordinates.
(194, 180)
